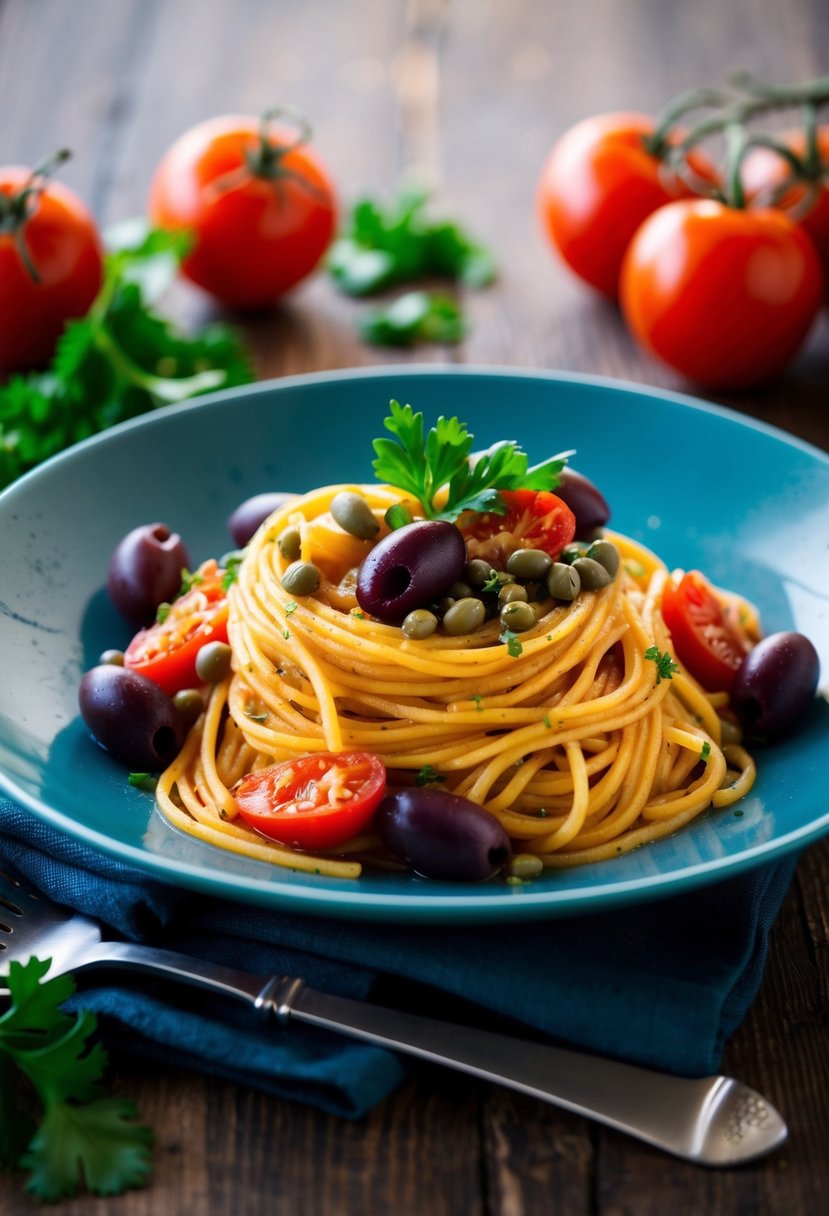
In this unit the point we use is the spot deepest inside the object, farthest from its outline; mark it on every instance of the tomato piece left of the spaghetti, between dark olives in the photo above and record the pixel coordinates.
(166, 652)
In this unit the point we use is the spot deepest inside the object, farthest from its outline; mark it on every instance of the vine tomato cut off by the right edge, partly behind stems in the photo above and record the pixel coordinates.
(764, 172)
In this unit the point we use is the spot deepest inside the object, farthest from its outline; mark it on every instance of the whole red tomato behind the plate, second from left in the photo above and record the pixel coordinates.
(257, 200)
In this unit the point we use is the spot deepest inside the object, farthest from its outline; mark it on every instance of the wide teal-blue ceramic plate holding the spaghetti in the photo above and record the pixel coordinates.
(702, 487)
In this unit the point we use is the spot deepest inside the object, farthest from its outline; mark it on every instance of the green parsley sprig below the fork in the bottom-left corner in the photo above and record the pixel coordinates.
(84, 1136)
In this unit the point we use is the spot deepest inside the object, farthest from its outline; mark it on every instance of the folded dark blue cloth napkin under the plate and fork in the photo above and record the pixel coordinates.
(662, 984)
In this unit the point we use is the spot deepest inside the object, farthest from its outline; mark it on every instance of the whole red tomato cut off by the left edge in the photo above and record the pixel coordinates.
(50, 264)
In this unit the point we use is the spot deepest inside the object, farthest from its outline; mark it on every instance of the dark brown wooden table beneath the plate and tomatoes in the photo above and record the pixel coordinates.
(471, 94)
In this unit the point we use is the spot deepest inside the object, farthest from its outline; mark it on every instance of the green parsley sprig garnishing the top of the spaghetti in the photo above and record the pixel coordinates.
(422, 465)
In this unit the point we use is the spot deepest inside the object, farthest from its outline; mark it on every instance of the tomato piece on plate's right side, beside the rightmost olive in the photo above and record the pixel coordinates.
(706, 640)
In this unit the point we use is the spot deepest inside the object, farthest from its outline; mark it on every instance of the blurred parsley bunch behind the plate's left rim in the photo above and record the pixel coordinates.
(119, 362)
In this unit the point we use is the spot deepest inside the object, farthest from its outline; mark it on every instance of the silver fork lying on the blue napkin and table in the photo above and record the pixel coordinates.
(715, 1122)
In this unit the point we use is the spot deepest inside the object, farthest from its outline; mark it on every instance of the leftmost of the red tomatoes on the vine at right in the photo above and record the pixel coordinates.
(600, 183)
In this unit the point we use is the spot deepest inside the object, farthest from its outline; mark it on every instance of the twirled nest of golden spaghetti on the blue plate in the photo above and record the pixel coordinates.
(576, 739)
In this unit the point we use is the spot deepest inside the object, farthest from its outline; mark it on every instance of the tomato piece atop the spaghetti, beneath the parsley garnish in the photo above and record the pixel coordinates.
(534, 520)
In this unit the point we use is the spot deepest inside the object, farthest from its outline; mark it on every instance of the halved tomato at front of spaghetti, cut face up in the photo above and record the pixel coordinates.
(317, 802)
